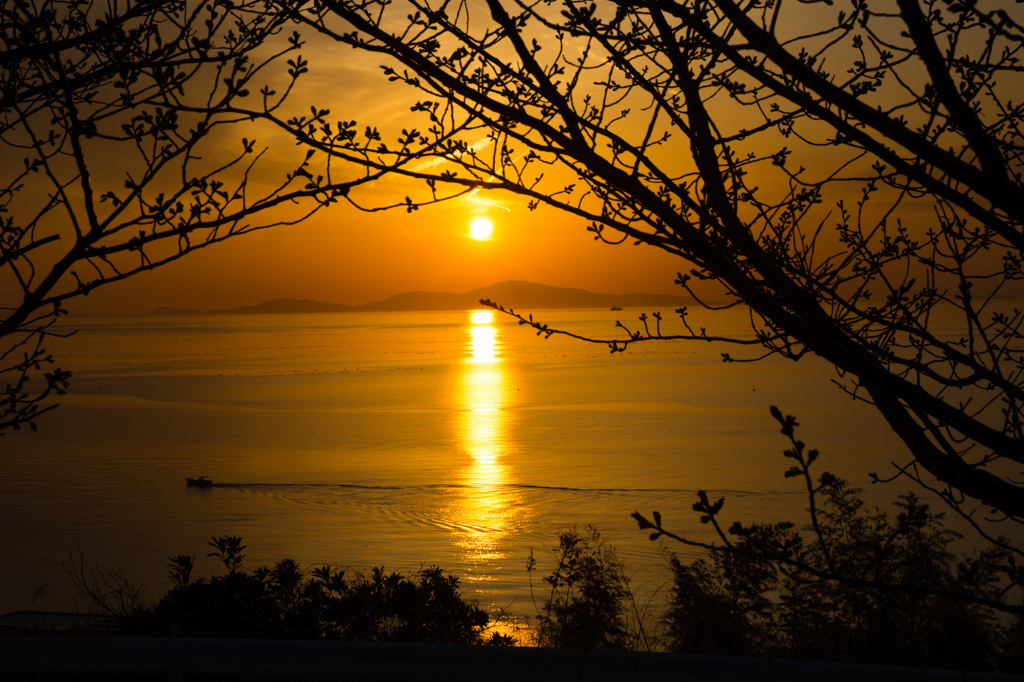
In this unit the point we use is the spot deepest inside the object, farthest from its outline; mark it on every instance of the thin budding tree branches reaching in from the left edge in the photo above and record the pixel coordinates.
(129, 141)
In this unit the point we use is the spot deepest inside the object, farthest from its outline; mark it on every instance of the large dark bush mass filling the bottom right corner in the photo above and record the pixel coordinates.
(740, 603)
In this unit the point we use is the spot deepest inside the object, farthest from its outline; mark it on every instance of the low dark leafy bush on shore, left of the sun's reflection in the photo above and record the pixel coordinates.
(285, 602)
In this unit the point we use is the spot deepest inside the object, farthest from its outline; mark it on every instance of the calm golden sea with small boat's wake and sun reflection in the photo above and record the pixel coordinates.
(460, 440)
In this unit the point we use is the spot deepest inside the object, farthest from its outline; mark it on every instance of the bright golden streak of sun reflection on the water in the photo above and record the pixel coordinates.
(487, 508)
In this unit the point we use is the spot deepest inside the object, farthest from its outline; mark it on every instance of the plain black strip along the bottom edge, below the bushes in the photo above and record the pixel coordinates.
(99, 658)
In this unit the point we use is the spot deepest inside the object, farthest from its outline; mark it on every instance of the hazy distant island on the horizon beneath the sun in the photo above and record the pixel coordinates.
(513, 294)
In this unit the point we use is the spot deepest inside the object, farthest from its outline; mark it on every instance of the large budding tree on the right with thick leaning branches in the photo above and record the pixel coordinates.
(857, 185)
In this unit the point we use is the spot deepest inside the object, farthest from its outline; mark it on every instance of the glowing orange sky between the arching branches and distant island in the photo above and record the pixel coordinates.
(347, 257)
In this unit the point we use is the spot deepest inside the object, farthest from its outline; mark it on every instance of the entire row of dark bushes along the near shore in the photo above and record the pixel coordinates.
(732, 604)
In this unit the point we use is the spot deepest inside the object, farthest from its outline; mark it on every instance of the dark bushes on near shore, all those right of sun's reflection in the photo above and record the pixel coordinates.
(742, 603)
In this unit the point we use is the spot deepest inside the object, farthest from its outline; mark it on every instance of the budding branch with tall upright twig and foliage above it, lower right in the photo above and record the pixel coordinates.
(907, 555)
